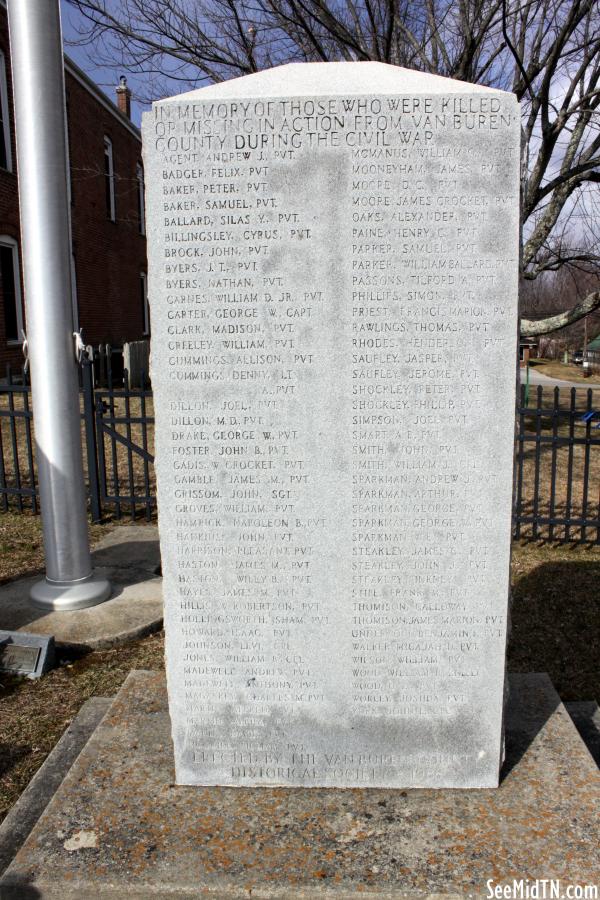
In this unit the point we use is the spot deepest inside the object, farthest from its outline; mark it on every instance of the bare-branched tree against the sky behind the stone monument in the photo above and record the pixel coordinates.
(546, 51)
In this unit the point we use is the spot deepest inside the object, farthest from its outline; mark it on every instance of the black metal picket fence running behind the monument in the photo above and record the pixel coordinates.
(557, 472)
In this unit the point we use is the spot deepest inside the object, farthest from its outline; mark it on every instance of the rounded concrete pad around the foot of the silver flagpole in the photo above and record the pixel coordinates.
(130, 558)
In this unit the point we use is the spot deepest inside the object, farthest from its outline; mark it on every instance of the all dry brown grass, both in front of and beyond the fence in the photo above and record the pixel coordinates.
(555, 614)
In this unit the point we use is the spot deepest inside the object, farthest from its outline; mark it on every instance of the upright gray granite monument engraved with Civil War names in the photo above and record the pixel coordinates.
(333, 284)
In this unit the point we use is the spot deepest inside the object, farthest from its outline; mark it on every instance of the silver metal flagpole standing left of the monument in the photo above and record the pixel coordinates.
(39, 94)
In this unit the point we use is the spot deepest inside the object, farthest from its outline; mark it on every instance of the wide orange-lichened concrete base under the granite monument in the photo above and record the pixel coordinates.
(119, 827)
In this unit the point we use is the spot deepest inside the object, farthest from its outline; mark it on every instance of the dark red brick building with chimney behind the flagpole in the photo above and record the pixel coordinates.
(107, 215)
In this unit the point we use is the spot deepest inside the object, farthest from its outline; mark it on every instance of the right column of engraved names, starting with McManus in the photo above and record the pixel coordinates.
(418, 314)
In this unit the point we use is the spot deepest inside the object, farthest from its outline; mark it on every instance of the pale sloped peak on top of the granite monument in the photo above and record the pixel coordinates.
(326, 78)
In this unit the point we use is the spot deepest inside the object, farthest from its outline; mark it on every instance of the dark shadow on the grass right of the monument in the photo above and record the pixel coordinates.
(555, 617)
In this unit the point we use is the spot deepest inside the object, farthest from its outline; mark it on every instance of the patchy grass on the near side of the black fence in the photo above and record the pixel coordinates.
(555, 622)
